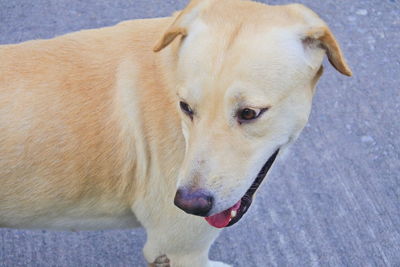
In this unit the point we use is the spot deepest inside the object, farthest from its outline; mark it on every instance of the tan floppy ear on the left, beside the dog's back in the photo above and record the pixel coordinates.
(180, 26)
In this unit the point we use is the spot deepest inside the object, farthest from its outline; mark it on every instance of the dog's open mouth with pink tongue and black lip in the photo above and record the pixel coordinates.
(232, 215)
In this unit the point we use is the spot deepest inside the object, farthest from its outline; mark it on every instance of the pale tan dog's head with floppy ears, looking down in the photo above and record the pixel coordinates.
(246, 74)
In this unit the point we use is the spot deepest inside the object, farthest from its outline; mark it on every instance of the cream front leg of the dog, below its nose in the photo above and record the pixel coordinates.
(184, 239)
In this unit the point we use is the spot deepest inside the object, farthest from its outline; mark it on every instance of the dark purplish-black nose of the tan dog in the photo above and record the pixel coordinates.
(197, 202)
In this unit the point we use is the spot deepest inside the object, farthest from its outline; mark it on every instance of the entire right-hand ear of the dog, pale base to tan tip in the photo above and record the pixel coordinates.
(317, 34)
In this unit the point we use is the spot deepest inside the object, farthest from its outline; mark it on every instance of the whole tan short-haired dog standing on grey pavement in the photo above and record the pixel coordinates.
(98, 131)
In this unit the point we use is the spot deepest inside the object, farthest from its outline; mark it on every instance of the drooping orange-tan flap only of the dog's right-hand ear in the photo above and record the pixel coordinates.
(323, 38)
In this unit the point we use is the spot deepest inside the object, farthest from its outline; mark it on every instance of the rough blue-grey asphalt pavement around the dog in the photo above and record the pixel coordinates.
(334, 200)
